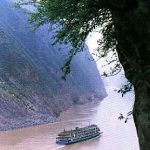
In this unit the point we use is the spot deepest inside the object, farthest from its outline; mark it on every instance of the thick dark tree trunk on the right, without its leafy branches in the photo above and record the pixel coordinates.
(132, 31)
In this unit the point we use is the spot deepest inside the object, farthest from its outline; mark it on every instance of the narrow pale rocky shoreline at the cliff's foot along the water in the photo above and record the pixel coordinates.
(36, 120)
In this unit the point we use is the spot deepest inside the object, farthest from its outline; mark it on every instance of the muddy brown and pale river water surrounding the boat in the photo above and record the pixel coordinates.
(117, 135)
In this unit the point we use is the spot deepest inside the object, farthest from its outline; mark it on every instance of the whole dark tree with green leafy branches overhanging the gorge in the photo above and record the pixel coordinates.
(126, 29)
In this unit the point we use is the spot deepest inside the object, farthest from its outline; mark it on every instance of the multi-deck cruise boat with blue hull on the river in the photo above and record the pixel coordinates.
(78, 135)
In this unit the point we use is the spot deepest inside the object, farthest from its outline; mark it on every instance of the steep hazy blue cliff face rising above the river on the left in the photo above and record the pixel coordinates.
(31, 89)
